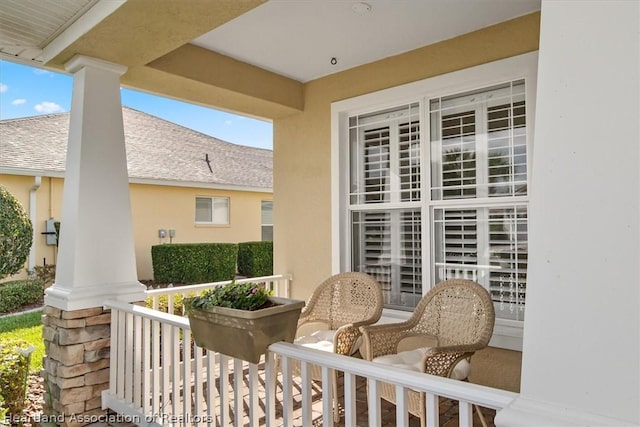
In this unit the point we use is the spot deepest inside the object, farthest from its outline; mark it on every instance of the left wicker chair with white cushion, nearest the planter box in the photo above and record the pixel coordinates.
(332, 317)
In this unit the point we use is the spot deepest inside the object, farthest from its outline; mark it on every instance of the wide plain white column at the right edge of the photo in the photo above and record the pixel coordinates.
(581, 356)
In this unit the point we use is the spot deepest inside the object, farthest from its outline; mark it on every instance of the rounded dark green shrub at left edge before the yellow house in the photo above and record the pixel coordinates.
(16, 234)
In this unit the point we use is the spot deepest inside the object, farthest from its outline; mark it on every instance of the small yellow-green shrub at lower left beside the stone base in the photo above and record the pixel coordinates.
(15, 356)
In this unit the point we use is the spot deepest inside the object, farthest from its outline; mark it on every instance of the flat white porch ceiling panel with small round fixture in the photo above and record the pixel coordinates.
(298, 38)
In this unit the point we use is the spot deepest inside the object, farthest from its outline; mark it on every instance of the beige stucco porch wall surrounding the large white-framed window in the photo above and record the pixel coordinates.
(302, 142)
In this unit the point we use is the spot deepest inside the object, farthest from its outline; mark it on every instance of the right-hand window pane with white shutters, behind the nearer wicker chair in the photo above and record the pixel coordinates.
(479, 139)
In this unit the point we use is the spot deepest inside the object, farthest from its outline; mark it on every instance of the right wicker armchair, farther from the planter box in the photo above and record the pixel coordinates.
(450, 323)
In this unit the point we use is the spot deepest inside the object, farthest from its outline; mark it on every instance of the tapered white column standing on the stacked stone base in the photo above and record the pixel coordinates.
(96, 258)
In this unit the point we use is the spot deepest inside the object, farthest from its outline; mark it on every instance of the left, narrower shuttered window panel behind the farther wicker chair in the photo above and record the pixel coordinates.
(385, 176)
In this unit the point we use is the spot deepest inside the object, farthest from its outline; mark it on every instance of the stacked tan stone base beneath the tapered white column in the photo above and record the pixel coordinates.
(76, 365)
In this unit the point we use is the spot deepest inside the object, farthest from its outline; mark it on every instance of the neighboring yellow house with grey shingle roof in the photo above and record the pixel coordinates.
(184, 186)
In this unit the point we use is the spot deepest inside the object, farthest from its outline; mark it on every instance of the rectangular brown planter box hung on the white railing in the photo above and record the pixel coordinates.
(246, 334)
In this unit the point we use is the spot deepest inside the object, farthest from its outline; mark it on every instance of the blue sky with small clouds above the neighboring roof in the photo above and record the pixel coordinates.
(27, 91)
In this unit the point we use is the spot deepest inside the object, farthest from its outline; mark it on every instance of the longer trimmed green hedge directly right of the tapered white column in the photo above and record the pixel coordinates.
(188, 263)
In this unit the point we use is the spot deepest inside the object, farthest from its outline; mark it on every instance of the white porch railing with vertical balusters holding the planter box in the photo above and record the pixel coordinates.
(158, 376)
